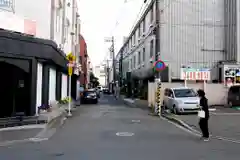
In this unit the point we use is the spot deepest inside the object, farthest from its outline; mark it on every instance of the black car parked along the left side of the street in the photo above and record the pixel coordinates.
(89, 96)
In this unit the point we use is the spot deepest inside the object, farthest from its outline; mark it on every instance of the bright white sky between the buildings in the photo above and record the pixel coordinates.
(104, 18)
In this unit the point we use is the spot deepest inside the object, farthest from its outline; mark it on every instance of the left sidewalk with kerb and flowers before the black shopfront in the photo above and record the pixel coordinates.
(53, 119)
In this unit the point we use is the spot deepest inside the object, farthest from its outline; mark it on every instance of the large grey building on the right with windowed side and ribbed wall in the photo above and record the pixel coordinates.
(191, 34)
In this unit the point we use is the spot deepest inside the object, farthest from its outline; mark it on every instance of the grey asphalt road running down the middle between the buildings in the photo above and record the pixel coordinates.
(91, 135)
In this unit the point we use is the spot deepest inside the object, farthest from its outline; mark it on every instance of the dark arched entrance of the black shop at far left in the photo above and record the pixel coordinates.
(14, 90)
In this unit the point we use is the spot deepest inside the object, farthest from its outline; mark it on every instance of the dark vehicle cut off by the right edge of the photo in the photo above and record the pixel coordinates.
(233, 98)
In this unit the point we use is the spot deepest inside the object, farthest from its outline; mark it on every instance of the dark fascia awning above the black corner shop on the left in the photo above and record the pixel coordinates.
(25, 45)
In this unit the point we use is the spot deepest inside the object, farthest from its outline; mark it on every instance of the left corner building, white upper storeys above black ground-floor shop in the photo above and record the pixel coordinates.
(53, 28)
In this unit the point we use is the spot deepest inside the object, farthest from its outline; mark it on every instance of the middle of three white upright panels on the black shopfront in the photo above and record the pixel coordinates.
(52, 85)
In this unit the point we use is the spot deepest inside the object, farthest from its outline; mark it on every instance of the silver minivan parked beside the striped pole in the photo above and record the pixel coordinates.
(181, 100)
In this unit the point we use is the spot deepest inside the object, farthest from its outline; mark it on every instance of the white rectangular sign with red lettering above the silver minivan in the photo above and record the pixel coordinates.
(195, 74)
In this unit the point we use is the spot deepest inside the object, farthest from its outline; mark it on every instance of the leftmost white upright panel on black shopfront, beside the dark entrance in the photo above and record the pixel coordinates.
(39, 86)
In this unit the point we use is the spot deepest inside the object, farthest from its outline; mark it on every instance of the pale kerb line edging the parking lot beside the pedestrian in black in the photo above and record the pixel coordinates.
(198, 134)
